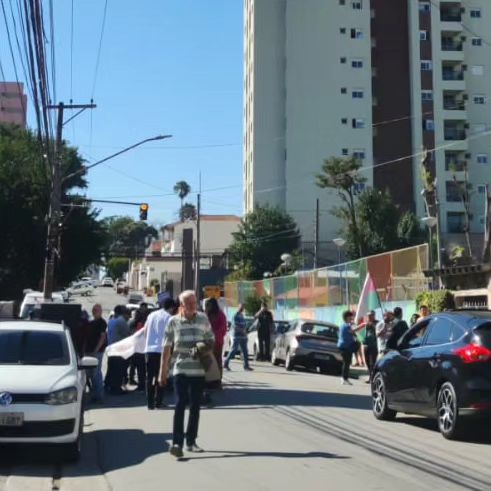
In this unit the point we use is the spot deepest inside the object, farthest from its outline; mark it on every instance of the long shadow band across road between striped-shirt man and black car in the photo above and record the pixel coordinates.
(275, 397)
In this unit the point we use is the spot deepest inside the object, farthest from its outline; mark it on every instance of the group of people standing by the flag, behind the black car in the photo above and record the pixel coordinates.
(370, 339)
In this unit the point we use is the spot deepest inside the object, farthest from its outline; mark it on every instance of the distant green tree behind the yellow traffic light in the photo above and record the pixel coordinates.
(127, 237)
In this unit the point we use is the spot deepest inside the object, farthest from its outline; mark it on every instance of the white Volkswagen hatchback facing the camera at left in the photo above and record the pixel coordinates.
(42, 384)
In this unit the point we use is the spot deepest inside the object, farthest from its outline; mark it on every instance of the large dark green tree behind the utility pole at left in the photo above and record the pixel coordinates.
(24, 198)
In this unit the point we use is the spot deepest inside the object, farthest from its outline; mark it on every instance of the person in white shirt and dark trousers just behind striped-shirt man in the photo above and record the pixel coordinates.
(155, 326)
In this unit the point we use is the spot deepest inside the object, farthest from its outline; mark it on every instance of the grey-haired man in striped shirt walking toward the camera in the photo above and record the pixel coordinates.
(189, 332)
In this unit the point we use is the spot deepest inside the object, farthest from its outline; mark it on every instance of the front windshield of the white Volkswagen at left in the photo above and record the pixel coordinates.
(33, 348)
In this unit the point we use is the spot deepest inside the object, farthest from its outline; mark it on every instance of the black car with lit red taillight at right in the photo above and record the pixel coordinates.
(441, 369)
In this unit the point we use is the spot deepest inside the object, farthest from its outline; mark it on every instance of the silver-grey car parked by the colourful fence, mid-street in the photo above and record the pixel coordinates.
(308, 343)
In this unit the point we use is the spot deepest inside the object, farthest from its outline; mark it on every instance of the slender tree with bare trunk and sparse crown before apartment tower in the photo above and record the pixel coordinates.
(342, 174)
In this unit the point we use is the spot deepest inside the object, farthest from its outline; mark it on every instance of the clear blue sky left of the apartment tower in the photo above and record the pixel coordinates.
(166, 66)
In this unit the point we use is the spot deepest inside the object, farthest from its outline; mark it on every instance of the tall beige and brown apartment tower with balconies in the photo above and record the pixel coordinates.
(378, 79)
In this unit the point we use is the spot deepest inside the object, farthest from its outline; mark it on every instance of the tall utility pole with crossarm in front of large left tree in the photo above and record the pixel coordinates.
(54, 214)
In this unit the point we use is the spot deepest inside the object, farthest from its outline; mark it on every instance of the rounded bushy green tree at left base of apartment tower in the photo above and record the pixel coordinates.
(263, 236)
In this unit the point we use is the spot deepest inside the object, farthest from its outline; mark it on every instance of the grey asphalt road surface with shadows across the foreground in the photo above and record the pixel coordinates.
(269, 429)
